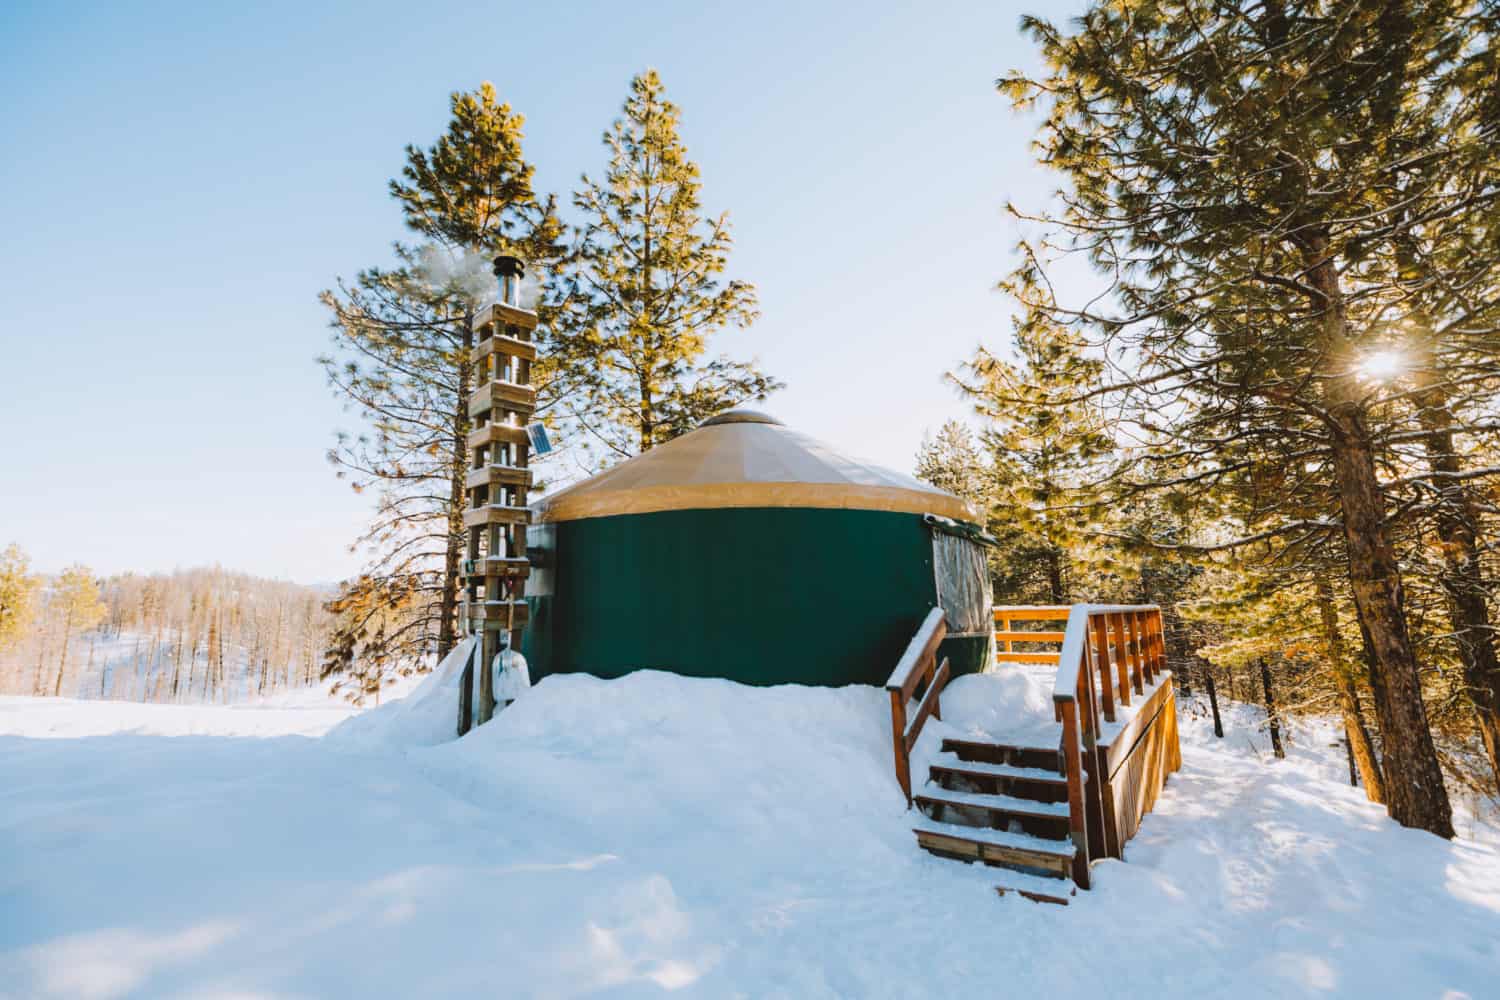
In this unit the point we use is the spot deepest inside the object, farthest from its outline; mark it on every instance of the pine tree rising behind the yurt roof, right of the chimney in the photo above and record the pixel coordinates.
(646, 293)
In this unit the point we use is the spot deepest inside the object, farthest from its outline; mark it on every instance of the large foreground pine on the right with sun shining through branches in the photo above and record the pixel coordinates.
(1225, 170)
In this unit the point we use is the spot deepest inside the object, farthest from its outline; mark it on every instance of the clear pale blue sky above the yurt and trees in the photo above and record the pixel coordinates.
(181, 181)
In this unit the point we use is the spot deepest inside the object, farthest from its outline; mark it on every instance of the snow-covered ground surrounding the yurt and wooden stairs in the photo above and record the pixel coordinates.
(665, 836)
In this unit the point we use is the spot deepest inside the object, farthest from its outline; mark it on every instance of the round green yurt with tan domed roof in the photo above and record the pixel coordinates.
(751, 552)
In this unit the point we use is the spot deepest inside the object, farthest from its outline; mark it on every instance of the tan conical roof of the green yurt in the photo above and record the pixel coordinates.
(745, 458)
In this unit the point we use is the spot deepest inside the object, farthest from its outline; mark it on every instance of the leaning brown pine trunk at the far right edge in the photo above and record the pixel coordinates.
(1463, 576)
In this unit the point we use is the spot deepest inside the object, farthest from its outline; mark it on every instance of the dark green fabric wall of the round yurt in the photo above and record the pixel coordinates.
(760, 596)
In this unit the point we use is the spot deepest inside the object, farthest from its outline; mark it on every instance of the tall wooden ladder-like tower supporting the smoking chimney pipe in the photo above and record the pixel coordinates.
(500, 476)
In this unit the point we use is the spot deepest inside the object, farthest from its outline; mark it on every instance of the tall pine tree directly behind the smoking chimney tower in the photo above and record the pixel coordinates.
(404, 341)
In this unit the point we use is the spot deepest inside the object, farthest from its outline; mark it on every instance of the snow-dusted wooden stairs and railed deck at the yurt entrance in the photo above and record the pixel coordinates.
(1042, 813)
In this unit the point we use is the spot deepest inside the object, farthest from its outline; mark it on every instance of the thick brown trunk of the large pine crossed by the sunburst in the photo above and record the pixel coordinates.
(1415, 794)
